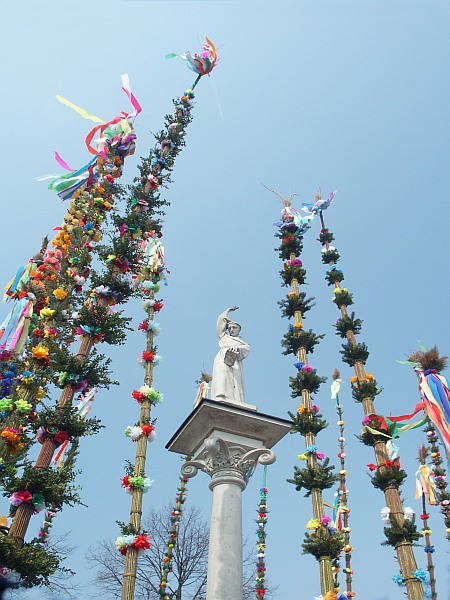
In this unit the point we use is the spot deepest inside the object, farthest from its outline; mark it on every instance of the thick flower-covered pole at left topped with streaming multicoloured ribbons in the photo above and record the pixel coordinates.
(55, 282)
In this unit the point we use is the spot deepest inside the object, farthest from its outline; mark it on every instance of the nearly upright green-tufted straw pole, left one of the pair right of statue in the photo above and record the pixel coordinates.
(323, 541)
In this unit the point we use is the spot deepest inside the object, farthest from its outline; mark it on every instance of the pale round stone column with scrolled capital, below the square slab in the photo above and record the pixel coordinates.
(227, 462)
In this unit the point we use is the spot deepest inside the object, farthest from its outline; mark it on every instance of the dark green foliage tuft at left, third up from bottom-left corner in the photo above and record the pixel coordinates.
(66, 419)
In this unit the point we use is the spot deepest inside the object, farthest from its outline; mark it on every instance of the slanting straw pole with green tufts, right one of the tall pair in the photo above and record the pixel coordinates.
(388, 475)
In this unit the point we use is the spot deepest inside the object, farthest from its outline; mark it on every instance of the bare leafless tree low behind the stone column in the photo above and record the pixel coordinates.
(189, 564)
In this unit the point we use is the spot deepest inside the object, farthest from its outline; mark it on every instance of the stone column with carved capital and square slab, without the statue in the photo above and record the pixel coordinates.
(225, 441)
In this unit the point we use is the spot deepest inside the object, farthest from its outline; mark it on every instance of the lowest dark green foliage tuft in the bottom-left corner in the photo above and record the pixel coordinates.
(34, 563)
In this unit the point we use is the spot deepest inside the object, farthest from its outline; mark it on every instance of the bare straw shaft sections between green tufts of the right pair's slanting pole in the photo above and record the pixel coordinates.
(405, 555)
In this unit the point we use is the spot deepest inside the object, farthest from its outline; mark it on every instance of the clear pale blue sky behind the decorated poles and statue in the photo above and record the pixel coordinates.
(349, 95)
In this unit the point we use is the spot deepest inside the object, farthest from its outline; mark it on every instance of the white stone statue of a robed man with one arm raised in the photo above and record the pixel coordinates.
(228, 374)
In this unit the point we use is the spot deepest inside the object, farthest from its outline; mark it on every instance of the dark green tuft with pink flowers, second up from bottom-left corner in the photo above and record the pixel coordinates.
(52, 484)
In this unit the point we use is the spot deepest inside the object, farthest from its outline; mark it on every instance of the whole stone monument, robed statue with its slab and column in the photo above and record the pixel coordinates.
(225, 437)
